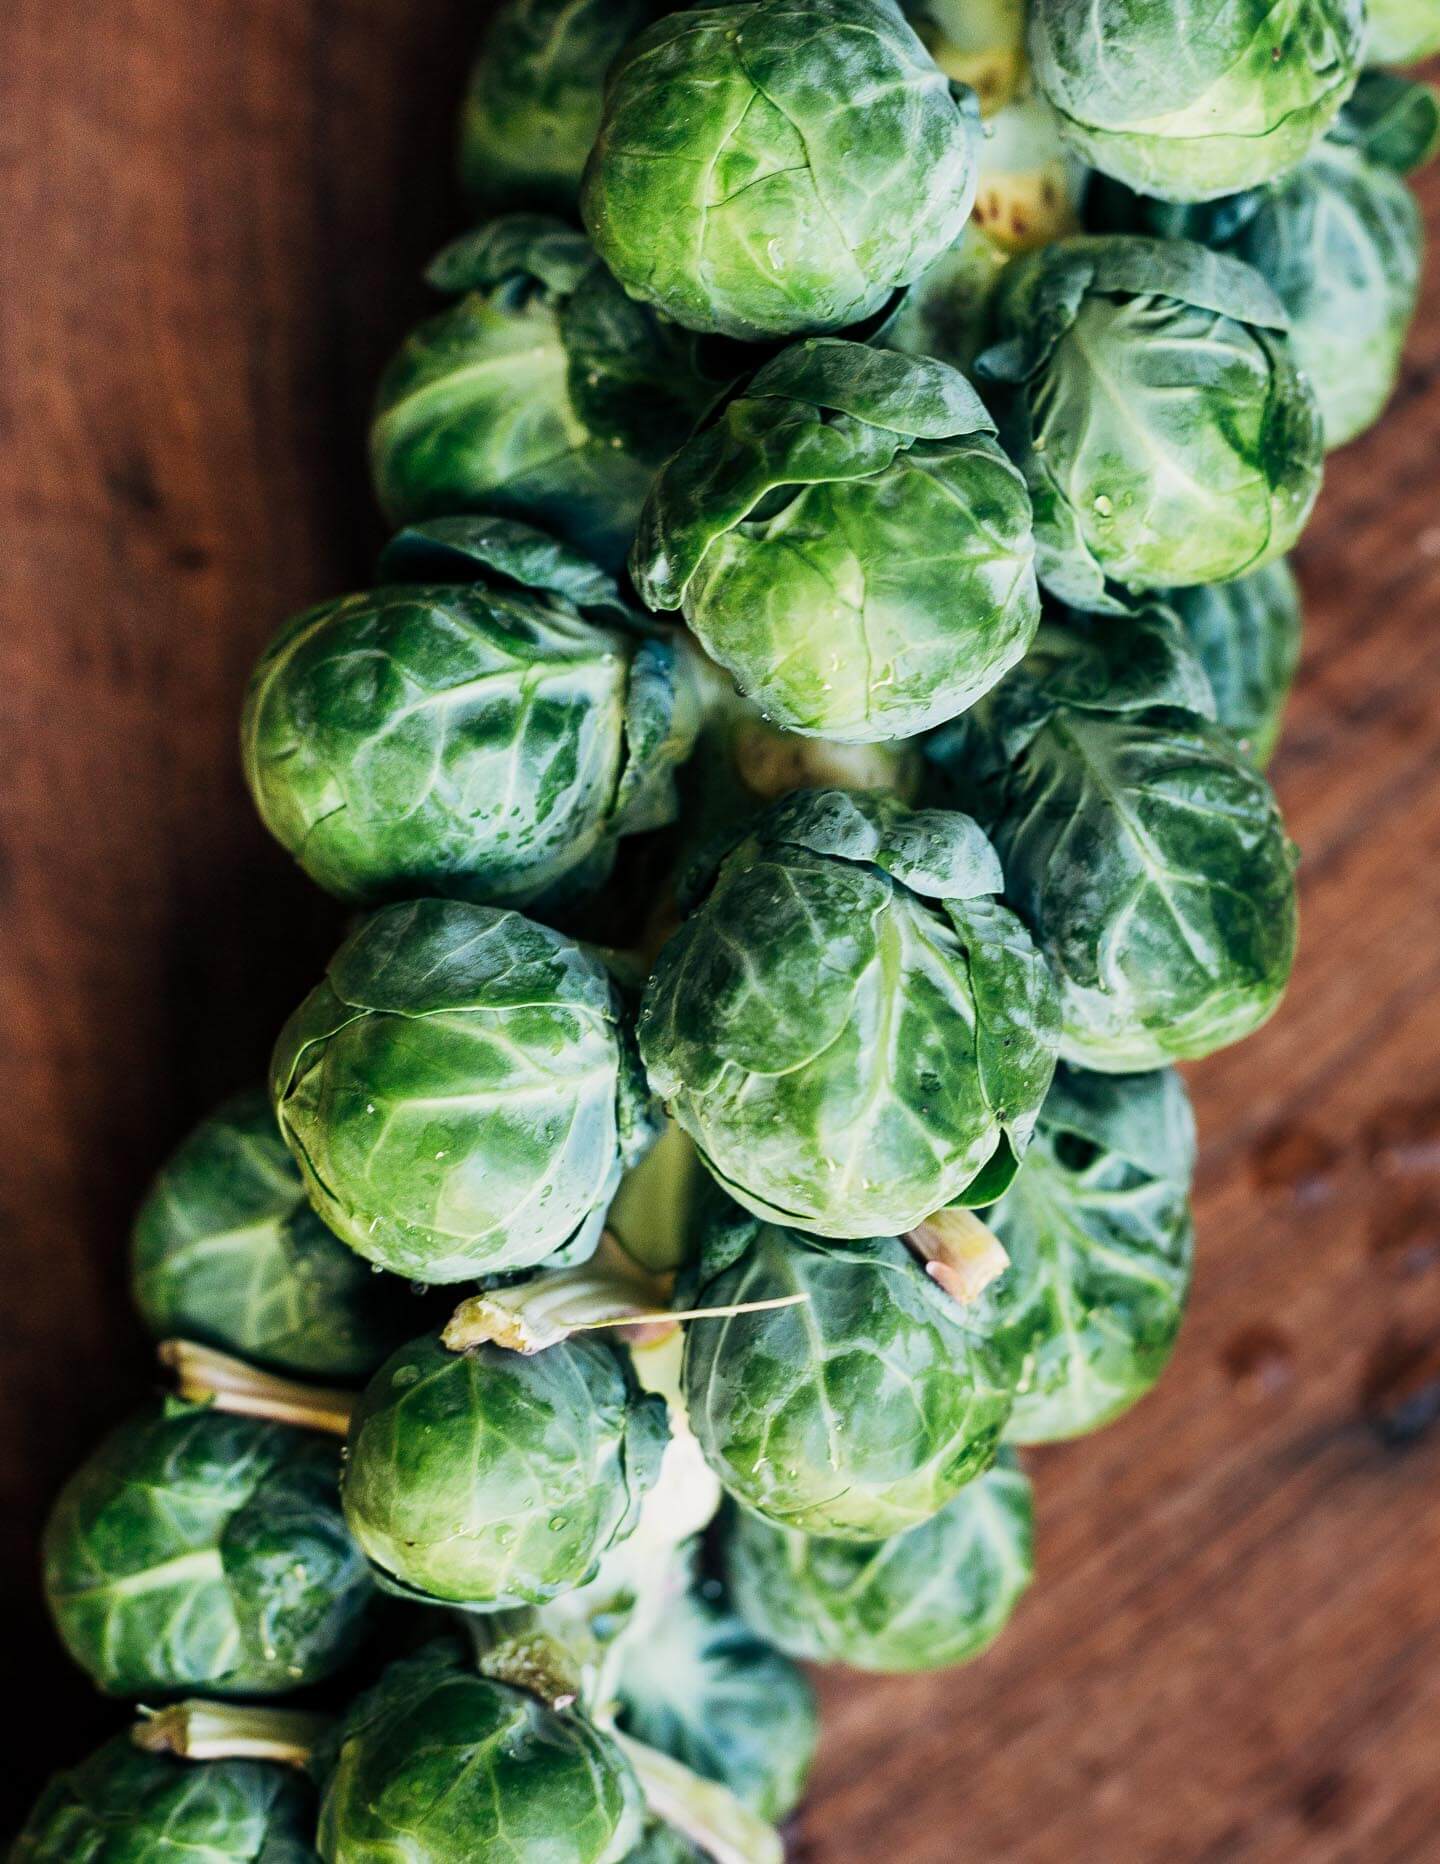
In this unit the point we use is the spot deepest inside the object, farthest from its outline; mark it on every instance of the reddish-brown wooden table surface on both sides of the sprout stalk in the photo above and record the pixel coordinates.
(211, 219)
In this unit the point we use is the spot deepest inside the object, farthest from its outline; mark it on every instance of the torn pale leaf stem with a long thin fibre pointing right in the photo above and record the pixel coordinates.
(610, 1291)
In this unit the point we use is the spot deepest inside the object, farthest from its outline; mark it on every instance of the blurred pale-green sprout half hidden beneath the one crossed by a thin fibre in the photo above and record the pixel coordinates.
(925, 1600)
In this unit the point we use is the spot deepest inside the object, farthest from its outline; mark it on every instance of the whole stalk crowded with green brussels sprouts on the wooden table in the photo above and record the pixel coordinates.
(798, 778)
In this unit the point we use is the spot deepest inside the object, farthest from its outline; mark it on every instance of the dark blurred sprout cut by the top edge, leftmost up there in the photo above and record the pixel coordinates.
(534, 103)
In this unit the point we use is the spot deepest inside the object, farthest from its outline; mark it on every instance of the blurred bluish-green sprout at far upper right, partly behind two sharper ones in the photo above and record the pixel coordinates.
(1340, 241)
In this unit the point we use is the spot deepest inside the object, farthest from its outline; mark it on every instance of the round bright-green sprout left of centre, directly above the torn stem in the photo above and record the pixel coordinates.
(461, 1093)
